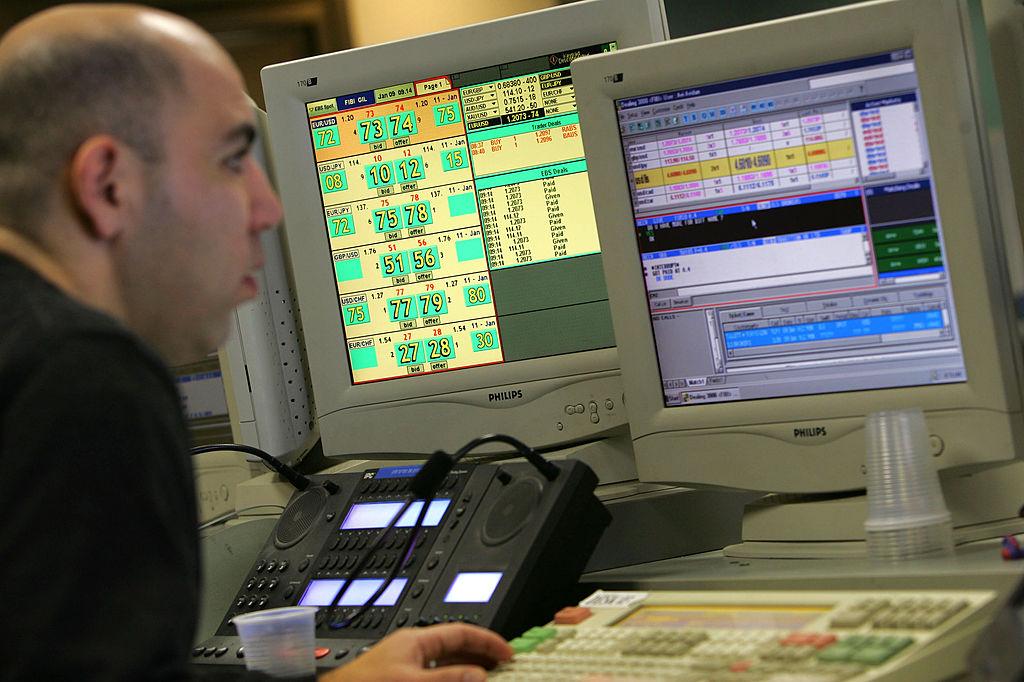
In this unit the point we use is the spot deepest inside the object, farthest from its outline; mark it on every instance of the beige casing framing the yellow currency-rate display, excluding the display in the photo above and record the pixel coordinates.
(339, 404)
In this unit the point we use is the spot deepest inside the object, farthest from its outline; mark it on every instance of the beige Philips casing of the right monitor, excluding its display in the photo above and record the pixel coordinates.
(757, 444)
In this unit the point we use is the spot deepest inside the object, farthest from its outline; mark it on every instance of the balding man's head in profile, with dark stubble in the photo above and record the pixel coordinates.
(125, 140)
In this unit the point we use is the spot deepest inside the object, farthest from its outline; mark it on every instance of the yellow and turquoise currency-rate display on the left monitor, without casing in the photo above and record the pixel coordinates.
(460, 220)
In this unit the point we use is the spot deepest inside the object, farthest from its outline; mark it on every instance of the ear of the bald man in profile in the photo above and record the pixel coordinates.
(105, 177)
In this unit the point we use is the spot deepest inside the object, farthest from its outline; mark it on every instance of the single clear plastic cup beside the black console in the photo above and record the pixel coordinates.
(280, 642)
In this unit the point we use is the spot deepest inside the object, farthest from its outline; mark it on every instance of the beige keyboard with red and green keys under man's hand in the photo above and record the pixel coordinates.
(754, 637)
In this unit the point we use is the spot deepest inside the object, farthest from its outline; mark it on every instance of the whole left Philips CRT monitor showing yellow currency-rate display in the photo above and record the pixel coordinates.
(442, 235)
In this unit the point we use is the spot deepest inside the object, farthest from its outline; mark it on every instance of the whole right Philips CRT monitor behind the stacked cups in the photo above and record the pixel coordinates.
(800, 229)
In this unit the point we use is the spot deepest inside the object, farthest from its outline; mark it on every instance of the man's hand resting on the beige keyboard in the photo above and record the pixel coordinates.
(461, 654)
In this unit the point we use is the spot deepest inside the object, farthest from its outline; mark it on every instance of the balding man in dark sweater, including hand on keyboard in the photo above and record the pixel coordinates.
(131, 216)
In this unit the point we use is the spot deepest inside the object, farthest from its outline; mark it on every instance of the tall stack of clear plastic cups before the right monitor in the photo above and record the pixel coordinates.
(907, 515)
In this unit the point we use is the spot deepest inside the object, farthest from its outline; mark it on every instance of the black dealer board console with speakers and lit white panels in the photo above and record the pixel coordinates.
(501, 546)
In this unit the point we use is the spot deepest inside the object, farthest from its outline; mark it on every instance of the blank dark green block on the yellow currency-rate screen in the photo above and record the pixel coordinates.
(553, 309)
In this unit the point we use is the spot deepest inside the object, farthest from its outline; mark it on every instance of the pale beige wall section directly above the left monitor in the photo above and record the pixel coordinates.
(372, 22)
